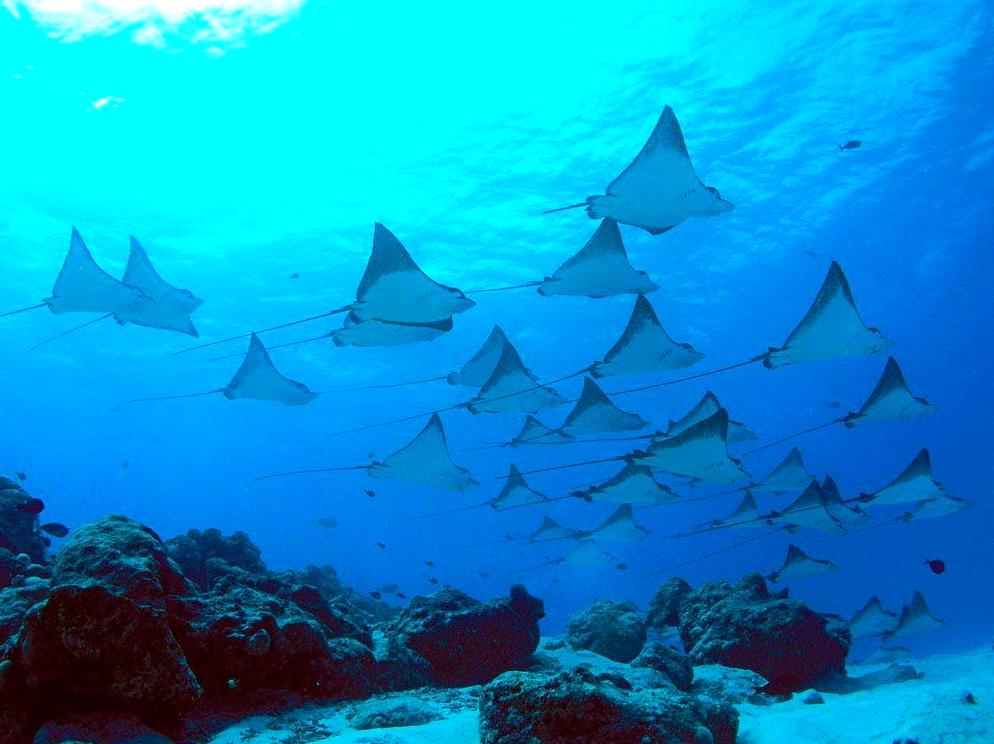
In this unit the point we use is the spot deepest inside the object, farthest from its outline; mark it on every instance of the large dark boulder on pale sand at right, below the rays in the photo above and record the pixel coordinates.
(746, 626)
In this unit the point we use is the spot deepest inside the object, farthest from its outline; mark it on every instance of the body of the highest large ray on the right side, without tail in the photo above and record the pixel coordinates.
(831, 328)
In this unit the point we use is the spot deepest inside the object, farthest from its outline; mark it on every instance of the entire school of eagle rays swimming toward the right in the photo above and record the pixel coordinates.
(397, 303)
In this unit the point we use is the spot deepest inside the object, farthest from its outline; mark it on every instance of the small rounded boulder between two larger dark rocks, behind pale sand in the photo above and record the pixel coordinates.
(616, 630)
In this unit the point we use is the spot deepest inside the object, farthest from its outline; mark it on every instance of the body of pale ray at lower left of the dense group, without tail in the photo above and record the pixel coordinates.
(425, 460)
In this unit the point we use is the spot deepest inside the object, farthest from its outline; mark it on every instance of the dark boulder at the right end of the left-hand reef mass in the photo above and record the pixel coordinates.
(467, 642)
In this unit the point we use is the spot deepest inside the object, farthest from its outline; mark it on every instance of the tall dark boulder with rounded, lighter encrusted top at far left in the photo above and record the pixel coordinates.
(103, 636)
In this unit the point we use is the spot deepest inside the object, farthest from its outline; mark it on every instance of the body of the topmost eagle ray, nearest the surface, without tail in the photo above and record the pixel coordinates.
(659, 189)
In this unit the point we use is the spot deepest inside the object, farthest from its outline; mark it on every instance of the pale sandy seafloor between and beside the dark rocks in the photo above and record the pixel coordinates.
(928, 710)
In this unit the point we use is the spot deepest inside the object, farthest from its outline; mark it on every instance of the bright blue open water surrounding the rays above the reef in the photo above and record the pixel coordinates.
(243, 147)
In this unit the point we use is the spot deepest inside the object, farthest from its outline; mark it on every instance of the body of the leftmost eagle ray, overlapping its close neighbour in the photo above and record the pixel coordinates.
(83, 287)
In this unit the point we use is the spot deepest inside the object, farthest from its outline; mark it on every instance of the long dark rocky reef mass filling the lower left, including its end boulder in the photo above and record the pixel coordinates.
(120, 639)
